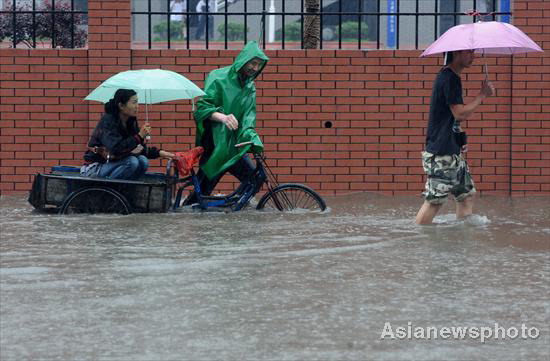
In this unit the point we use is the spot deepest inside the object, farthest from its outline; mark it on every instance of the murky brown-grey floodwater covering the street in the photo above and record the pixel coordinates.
(269, 286)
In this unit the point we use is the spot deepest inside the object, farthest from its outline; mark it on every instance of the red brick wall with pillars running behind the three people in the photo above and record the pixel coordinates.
(377, 102)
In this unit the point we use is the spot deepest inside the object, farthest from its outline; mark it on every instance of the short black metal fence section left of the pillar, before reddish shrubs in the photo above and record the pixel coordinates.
(53, 23)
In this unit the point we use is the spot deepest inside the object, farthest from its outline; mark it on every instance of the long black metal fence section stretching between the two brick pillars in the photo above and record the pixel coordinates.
(385, 20)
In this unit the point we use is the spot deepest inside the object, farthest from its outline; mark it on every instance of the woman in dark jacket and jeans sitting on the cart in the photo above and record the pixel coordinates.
(118, 146)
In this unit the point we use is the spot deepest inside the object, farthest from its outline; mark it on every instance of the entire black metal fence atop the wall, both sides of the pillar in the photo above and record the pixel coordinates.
(359, 24)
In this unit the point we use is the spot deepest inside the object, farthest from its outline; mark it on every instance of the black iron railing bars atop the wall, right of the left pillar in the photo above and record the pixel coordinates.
(445, 13)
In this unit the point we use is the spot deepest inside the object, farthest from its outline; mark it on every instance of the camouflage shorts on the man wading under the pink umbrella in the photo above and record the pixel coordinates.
(447, 174)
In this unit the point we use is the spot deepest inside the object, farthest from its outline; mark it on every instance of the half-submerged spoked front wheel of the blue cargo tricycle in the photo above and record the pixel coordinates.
(288, 197)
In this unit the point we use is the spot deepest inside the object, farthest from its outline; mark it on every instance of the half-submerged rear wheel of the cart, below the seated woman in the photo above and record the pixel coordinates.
(95, 200)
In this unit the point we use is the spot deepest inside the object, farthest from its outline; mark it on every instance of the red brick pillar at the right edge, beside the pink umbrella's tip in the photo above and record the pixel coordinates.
(530, 168)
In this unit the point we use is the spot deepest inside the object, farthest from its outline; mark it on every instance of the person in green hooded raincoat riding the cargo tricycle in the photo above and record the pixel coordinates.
(225, 117)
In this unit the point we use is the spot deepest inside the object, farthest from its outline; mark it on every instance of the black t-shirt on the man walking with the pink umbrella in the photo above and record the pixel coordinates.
(447, 91)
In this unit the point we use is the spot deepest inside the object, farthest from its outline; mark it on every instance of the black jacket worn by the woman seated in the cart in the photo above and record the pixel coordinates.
(119, 140)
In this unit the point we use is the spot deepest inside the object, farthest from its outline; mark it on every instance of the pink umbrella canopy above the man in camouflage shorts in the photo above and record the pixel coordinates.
(491, 37)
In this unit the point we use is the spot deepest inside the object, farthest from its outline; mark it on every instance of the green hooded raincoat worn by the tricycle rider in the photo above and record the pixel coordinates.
(228, 94)
